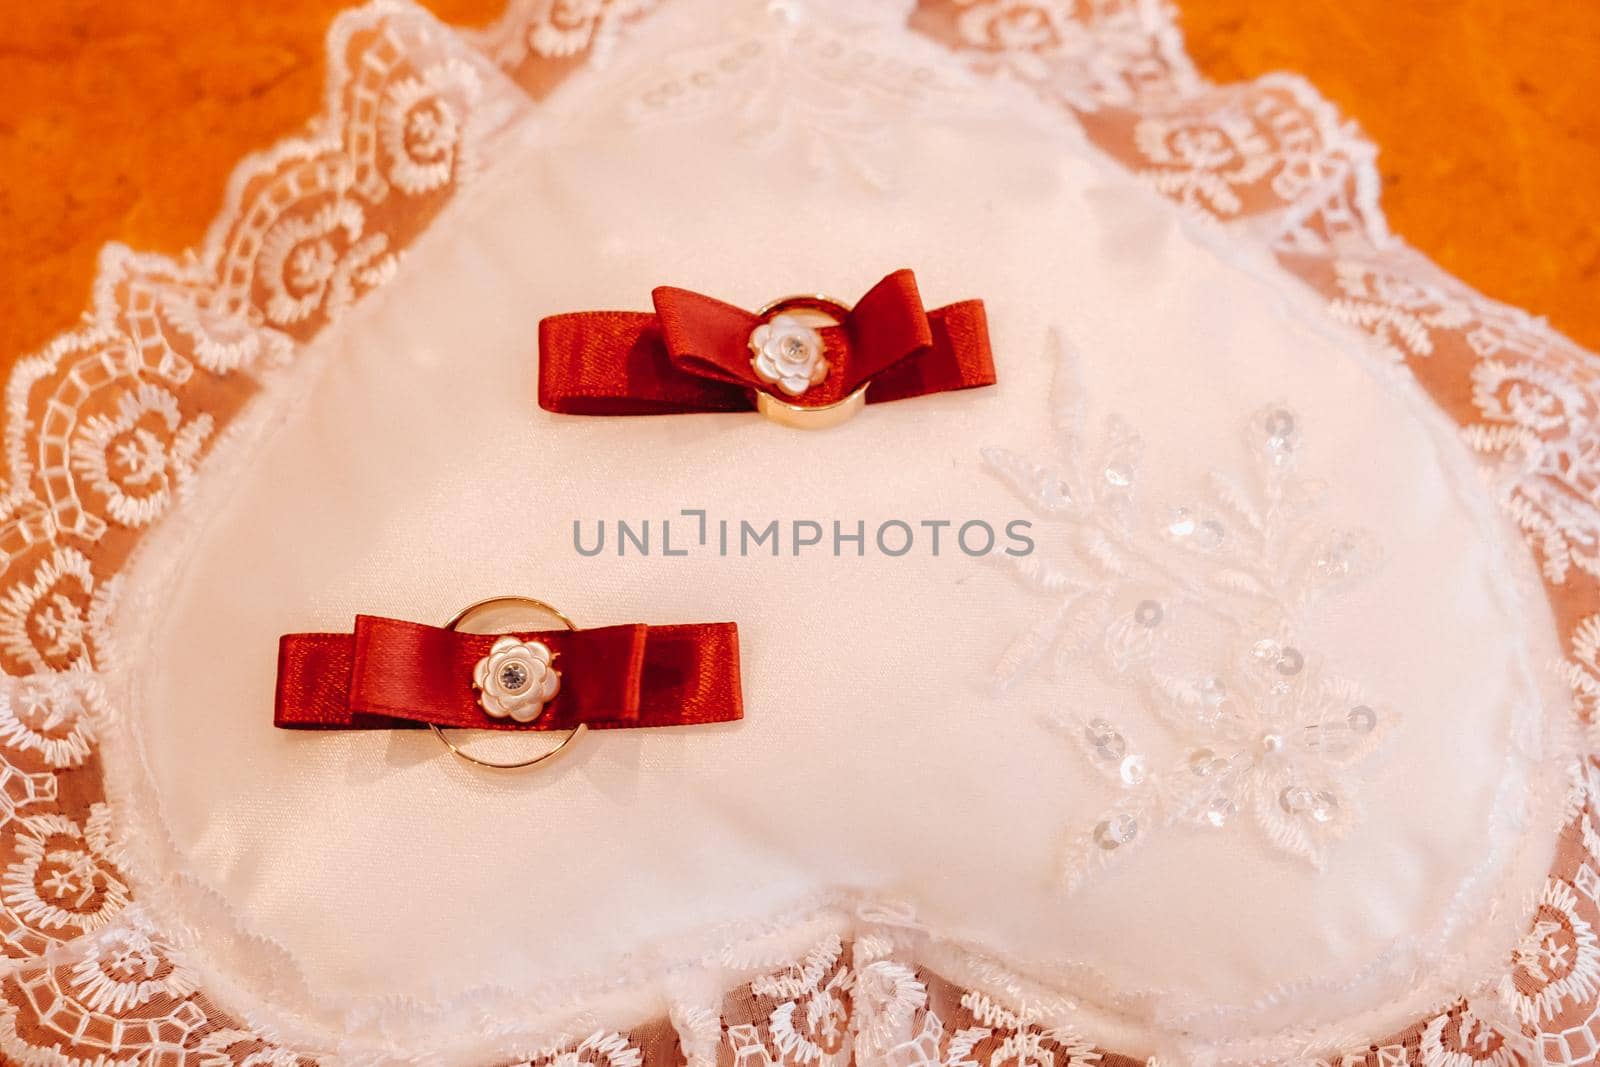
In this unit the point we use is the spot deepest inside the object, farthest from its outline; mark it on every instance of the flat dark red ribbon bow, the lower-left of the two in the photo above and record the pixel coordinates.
(391, 676)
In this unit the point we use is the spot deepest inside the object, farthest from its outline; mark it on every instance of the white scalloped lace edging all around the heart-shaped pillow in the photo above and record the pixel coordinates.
(106, 426)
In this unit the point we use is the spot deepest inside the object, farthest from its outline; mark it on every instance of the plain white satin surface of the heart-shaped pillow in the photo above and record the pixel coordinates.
(881, 761)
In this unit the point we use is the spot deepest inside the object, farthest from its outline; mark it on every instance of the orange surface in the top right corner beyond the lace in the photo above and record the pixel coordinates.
(1487, 121)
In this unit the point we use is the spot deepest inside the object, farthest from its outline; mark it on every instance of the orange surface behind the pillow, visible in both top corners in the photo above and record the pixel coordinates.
(122, 122)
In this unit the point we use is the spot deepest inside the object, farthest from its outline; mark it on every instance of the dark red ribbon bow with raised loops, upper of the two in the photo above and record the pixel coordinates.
(694, 354)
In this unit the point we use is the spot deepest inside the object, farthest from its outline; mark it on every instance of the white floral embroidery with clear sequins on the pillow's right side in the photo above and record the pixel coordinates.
(1266, 729)
